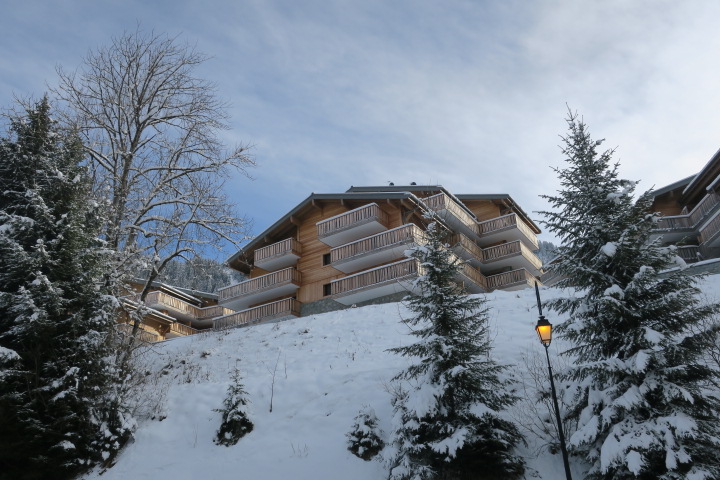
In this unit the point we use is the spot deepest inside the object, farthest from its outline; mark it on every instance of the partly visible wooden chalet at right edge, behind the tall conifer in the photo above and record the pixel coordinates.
(691, 213)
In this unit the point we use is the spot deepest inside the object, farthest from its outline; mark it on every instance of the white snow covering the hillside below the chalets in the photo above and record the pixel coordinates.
(325, 368)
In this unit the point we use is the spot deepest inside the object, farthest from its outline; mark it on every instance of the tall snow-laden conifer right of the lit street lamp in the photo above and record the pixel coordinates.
(641, 402)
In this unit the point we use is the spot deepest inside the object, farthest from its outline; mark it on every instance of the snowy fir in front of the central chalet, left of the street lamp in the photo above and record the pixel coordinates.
(448, 405)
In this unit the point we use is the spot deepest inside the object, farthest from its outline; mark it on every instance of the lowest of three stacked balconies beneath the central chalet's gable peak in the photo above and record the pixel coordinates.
(377, 282)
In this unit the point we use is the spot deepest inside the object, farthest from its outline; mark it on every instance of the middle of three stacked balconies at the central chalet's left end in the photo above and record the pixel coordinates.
(260, 289)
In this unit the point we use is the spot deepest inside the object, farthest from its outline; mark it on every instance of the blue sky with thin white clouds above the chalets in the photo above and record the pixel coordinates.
(472, 95)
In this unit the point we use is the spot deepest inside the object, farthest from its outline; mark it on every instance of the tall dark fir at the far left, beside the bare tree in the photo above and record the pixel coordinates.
(58, 414)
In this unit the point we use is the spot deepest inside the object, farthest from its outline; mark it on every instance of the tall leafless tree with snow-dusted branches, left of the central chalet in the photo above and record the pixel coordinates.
(152, 131)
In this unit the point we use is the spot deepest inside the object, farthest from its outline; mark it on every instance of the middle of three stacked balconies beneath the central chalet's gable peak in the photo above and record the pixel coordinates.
(375, 250)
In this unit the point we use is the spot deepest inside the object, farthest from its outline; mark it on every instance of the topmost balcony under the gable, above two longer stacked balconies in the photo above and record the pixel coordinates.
(353, 225)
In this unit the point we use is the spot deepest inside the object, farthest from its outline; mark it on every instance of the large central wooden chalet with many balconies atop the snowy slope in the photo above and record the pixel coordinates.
(337, 250)
